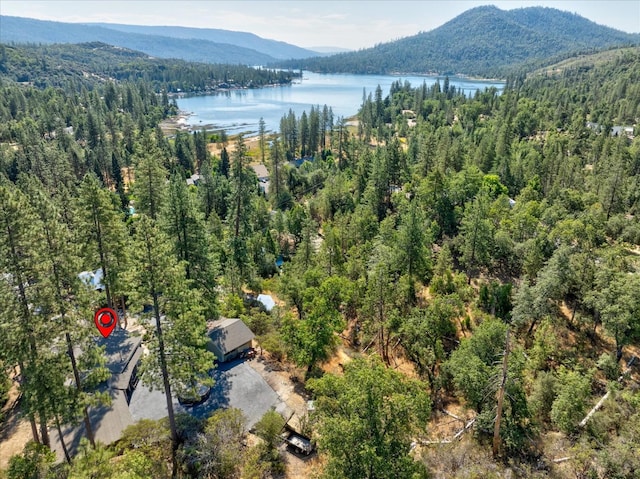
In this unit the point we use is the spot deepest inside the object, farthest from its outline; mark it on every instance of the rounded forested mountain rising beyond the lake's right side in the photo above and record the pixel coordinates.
(483, 41)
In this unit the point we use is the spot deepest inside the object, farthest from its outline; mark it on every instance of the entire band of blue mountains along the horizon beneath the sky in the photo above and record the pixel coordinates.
(483, 41)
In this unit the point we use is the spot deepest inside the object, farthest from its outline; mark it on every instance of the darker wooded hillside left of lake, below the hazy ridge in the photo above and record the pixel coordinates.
(88, 64)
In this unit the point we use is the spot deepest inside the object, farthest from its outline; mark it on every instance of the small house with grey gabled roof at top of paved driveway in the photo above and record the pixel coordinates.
(228, 337)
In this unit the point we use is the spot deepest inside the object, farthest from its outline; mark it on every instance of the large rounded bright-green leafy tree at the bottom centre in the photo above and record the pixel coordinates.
(367, 420)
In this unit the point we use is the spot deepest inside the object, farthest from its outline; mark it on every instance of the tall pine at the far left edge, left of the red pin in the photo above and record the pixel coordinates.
(27, 329)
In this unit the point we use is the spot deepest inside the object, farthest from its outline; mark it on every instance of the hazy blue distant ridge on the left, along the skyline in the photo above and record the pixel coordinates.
(198, 47)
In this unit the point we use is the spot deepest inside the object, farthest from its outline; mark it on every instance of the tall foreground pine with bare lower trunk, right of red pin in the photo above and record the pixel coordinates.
(178, 359)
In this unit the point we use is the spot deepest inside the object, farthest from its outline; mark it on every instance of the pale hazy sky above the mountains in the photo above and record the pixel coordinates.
(346, 23)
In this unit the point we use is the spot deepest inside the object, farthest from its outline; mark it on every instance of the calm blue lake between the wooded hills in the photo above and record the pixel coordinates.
(240, 110)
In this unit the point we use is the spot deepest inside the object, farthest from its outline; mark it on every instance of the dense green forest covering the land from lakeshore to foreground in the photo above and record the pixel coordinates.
(489, 245)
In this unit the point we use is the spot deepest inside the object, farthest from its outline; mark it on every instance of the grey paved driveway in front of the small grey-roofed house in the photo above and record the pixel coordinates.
(237, 385)
